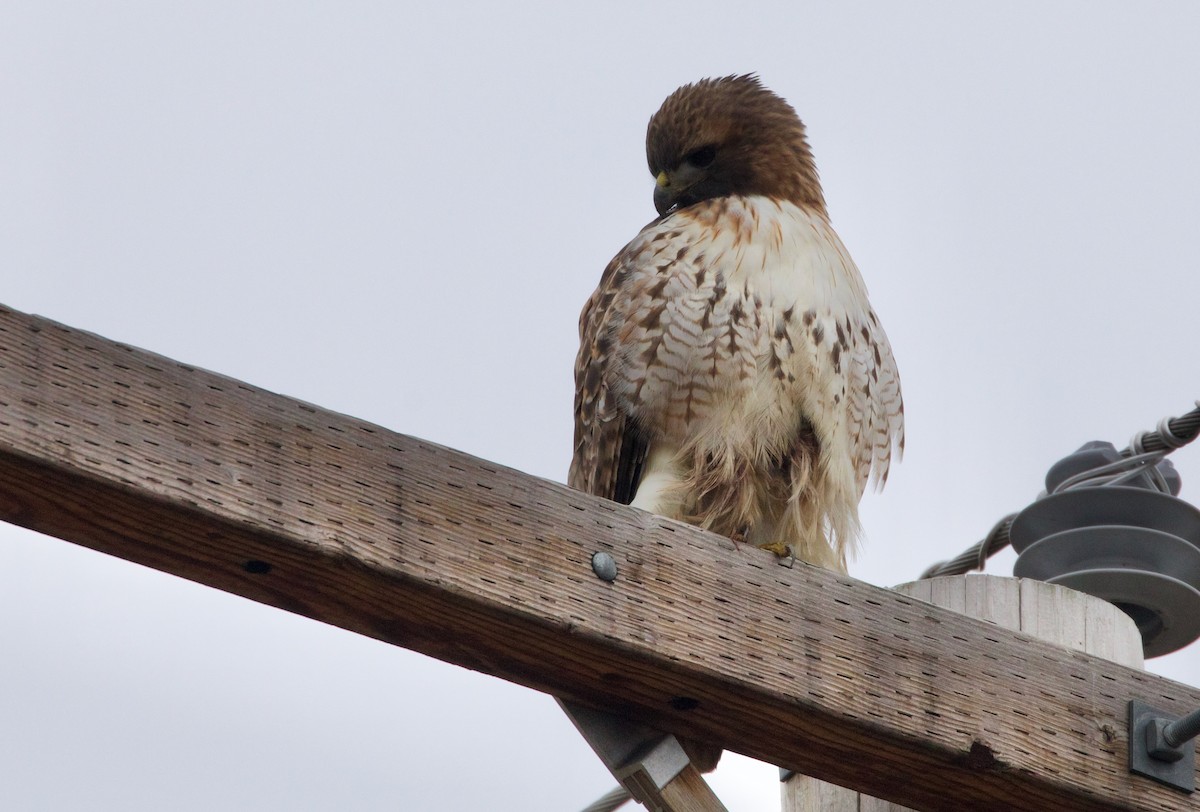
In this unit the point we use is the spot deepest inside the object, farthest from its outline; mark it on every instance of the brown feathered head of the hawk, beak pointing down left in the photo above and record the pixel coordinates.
(730, 136)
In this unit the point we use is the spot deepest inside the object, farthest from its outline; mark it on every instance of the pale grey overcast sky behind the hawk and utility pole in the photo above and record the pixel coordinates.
(398, 213)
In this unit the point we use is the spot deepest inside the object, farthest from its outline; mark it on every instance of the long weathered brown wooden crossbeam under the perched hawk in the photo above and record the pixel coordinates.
(218, 482)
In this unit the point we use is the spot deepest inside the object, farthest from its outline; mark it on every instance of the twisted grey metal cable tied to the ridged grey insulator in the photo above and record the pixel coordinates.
(1145, 452)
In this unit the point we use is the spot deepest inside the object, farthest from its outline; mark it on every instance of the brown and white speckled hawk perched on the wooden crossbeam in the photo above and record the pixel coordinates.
(731, 371)
